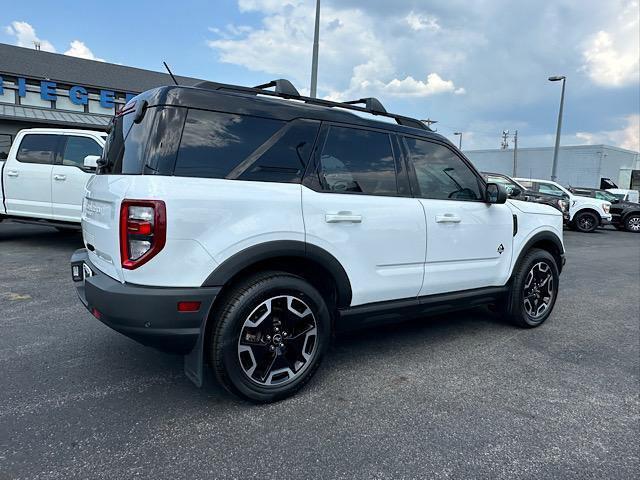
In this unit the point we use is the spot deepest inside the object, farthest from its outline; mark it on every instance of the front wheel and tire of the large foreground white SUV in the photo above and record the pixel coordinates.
(524, 299)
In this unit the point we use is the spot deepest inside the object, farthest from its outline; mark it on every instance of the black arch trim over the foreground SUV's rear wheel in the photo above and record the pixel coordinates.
(283, 248)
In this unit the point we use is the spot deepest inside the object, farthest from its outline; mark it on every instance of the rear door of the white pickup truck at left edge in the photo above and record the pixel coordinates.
(27, 177)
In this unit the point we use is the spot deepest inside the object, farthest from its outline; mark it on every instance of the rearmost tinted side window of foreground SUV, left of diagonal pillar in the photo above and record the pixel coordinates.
(216, 145)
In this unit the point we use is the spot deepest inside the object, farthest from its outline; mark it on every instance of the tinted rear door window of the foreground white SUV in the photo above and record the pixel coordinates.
(355, 160)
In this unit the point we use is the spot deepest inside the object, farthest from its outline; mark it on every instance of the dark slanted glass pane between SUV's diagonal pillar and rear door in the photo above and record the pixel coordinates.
(283, 158)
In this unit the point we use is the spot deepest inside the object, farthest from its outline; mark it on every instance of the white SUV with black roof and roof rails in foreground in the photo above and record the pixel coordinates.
(243, 229)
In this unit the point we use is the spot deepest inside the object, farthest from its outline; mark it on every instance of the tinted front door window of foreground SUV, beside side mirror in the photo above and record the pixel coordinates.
(440, 173)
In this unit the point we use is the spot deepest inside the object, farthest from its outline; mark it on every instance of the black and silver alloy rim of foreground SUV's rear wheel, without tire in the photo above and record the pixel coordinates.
(277, 341)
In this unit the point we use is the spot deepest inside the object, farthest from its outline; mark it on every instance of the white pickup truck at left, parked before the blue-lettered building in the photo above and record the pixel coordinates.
(44, 176)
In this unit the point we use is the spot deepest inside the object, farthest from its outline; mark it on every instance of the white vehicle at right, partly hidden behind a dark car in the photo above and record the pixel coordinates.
(585, 213)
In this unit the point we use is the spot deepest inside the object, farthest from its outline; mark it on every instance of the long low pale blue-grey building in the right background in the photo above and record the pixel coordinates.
(580, 166)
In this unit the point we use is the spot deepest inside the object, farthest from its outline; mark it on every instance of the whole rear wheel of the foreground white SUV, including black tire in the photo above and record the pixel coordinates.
(264, 357)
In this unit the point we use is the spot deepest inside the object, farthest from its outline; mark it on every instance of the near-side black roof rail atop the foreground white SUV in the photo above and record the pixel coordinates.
(285, 89)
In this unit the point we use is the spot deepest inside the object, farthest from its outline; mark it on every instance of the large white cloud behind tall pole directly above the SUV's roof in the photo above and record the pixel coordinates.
(357, 58)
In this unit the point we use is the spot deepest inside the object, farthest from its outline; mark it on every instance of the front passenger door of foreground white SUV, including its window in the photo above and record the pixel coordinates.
(469, 241)
